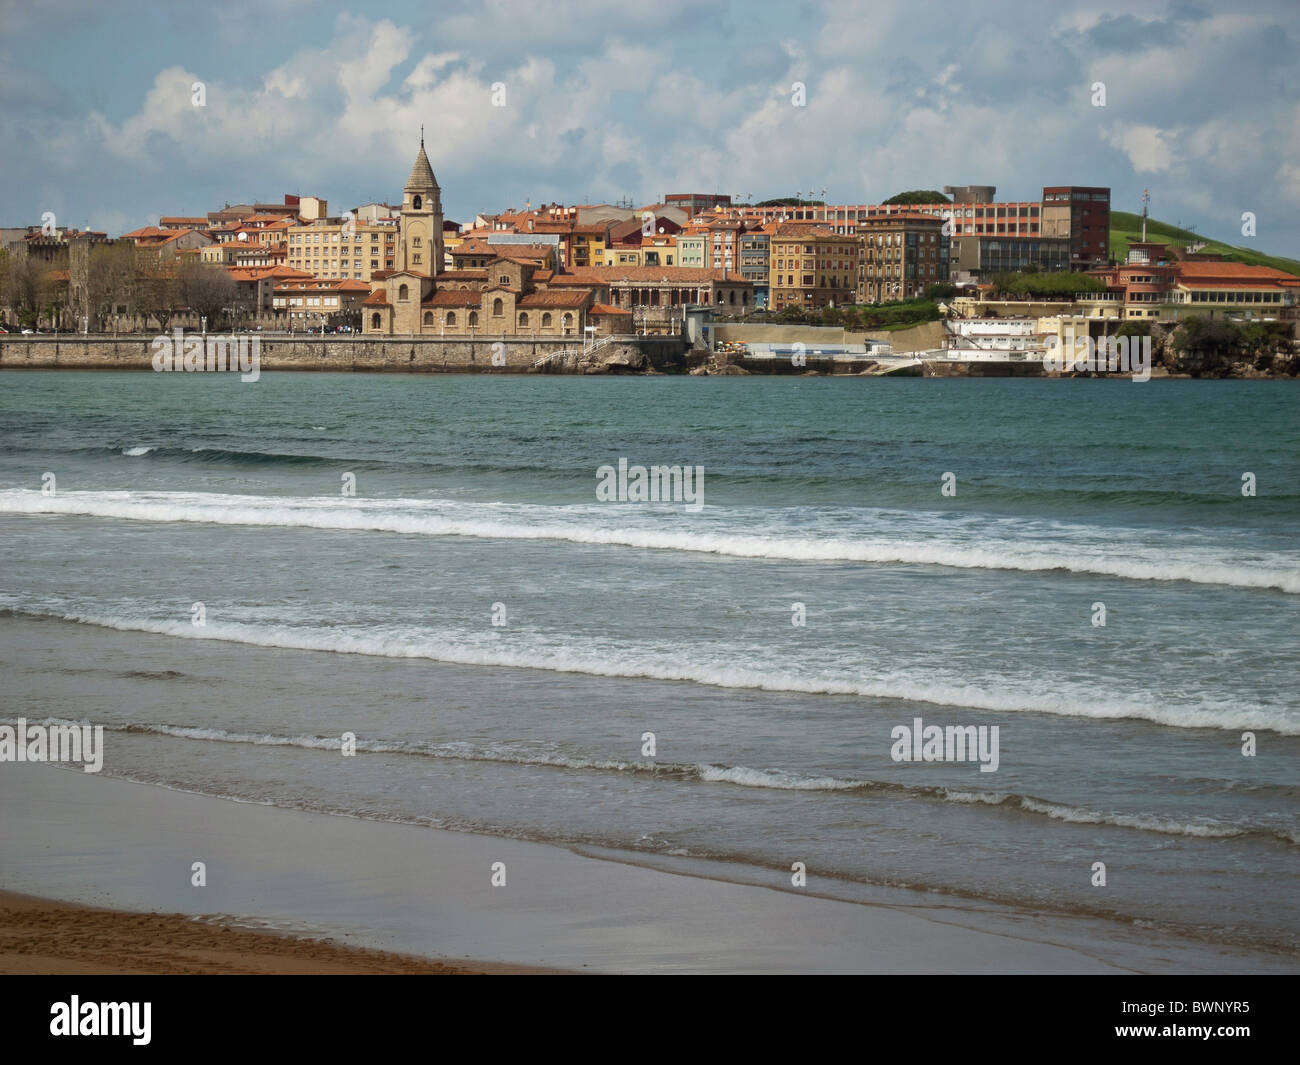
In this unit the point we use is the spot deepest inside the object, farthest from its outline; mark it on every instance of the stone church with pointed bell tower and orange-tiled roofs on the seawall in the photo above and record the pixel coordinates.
(504, 297)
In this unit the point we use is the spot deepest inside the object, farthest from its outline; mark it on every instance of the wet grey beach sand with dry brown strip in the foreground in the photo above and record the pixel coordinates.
(93, 841)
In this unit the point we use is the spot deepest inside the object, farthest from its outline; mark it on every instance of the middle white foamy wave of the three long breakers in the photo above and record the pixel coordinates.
(902, 686)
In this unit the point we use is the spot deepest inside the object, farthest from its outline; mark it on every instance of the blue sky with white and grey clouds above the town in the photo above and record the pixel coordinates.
(599, 102)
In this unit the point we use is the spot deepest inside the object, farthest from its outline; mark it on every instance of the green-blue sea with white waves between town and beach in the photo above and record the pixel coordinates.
(245, 583)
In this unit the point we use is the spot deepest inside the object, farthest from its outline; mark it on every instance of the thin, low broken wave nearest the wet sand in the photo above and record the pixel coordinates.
(743, 777)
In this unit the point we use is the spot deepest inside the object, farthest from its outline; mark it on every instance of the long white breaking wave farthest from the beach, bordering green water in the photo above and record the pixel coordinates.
(444, 519)
